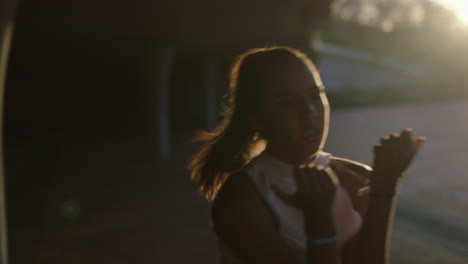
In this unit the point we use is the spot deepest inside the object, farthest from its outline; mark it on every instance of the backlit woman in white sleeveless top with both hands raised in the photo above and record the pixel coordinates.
(293, 203)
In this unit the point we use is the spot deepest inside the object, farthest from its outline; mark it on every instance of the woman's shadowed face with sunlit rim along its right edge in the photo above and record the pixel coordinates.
(294, 112)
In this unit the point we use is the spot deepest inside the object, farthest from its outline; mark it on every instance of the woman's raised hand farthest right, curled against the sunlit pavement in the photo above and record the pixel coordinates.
(392, 157)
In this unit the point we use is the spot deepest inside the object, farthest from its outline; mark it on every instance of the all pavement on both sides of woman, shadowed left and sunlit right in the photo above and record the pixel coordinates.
(127, 206)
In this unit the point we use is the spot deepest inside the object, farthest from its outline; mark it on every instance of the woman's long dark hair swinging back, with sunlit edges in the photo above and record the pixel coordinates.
(233, 143)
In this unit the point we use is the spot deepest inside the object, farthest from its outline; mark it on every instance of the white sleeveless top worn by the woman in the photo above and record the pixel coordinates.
(266, 171)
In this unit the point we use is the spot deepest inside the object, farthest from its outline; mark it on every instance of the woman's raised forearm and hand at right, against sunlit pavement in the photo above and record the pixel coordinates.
(392, 157)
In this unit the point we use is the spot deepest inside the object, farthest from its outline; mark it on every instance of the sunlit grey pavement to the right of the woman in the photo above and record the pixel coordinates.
(431, 221)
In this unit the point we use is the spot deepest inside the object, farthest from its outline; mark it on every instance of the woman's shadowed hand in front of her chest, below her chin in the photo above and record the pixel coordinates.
(315, 195)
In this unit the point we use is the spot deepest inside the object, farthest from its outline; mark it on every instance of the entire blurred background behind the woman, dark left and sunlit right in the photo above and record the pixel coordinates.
(102, 98)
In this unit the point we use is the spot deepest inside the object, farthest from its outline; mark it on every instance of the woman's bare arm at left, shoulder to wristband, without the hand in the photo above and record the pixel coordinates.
(244, 223)
